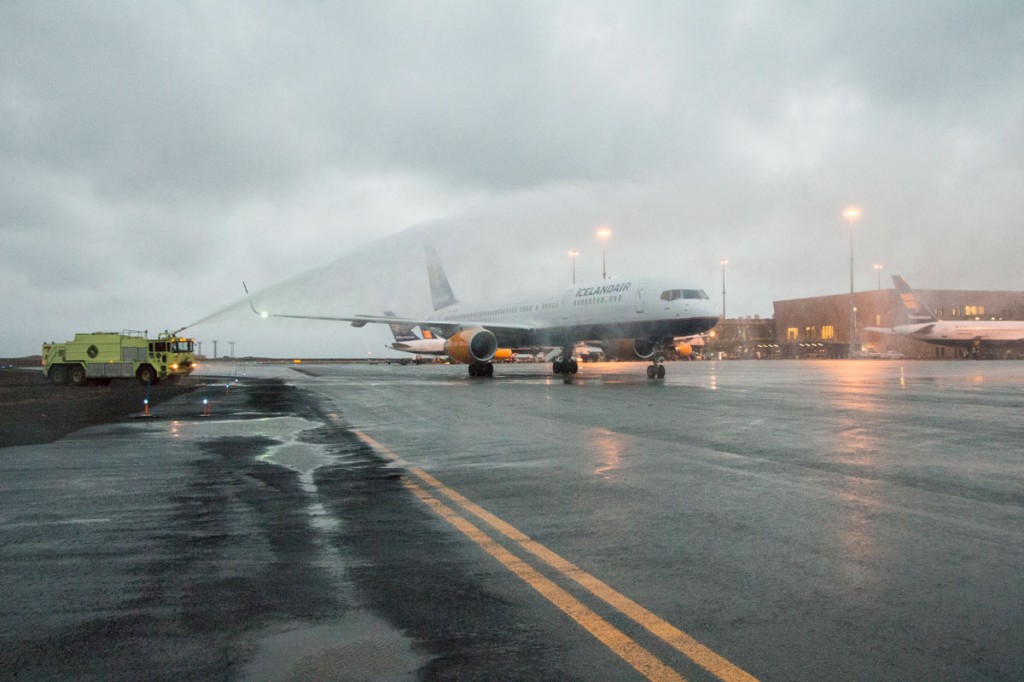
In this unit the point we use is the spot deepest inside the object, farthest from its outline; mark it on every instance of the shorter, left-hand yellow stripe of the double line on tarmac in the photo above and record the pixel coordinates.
(644, 661)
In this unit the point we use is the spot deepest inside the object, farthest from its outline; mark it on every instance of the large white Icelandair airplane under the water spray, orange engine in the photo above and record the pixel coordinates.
(651, 311)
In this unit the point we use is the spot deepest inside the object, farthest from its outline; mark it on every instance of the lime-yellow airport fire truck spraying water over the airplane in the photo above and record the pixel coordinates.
(104, 356)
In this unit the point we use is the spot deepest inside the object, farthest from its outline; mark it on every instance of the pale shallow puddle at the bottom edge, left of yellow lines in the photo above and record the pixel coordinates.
(359, 648)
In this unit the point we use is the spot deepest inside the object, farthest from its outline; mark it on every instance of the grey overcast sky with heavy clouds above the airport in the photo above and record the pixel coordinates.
(154, 155)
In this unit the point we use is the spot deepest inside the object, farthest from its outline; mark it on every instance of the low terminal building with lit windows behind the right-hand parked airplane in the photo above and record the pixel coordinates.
(820, 327)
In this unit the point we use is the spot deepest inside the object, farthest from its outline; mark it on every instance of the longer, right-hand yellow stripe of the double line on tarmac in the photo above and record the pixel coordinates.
(679, 641)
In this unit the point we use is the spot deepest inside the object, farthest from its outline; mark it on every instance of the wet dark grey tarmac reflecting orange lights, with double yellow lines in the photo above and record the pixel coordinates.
(785, 521)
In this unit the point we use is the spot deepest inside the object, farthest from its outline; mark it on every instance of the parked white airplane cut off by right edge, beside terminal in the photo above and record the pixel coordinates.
(970, 335)
